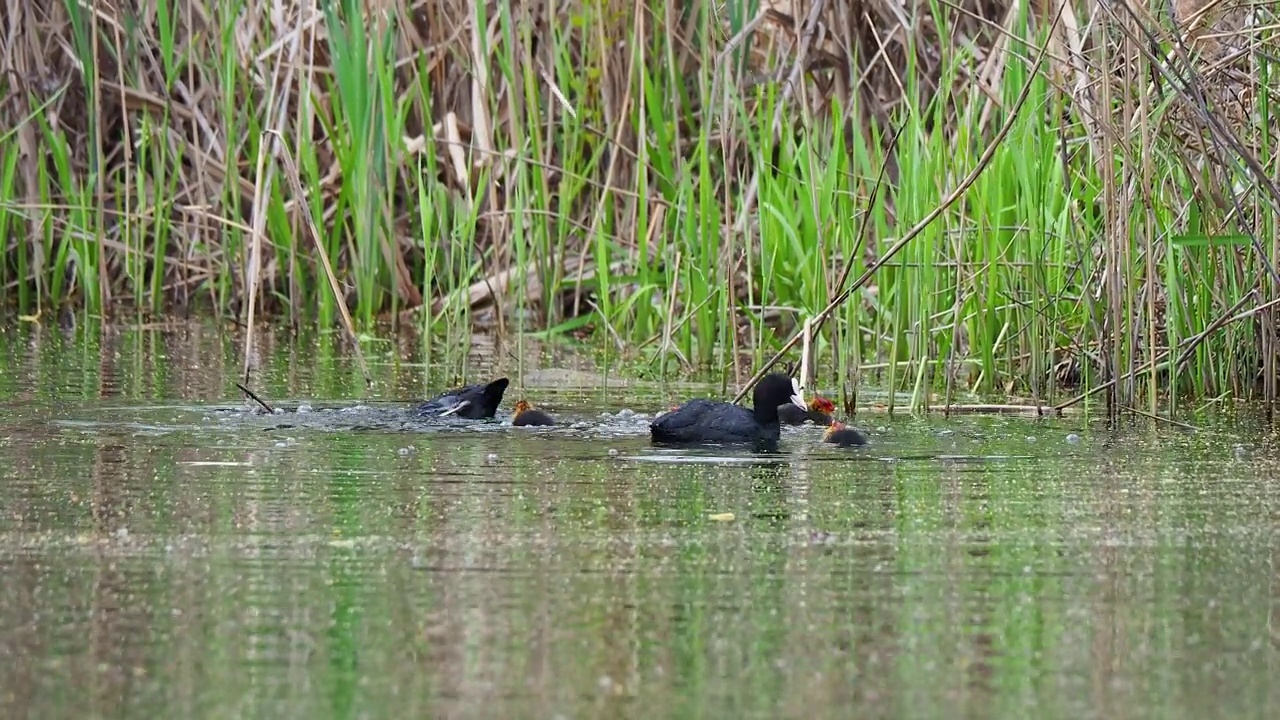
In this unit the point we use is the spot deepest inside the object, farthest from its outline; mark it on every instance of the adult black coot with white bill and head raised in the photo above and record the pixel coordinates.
(715, 422)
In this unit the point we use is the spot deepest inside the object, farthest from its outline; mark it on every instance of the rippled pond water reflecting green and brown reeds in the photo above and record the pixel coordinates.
(166, 553)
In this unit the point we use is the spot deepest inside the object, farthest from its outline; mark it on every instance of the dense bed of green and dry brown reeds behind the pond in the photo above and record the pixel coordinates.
(683, 184)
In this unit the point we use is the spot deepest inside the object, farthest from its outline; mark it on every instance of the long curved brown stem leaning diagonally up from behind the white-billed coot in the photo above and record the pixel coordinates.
(984, 161)
